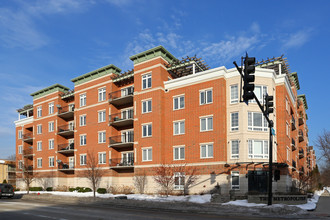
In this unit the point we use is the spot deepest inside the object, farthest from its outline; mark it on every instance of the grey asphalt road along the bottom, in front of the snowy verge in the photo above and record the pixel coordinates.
(12, 209)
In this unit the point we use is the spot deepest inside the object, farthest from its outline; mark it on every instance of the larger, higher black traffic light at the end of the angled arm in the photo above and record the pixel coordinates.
(249, 69)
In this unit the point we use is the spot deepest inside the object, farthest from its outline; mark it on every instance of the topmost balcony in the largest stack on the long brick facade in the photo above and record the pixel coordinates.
(122, 97)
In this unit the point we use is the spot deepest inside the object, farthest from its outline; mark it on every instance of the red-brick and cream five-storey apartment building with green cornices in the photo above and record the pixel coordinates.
(167, 111)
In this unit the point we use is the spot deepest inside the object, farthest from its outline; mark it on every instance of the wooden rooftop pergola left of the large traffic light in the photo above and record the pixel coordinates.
(184, 67)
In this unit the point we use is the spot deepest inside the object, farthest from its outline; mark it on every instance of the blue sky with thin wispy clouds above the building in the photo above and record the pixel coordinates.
(46, 42)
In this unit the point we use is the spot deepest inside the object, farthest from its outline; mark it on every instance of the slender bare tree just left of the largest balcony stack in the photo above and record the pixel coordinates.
(93, 172)
